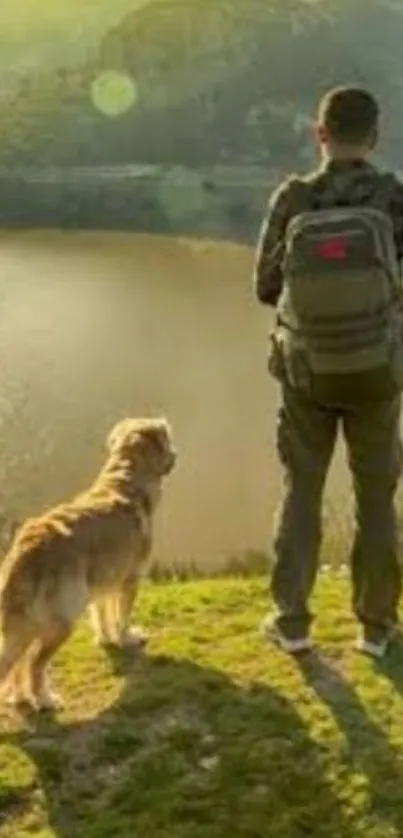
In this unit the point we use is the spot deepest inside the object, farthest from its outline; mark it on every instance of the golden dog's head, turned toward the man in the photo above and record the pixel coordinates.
(144, 441)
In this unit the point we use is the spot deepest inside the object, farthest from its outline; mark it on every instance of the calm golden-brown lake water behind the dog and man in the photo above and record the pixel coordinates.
(97, 326)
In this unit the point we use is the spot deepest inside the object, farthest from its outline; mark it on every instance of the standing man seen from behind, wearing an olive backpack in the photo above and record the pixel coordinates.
(325, 261)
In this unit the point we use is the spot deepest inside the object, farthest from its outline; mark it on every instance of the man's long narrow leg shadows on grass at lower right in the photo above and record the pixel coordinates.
(369, 753)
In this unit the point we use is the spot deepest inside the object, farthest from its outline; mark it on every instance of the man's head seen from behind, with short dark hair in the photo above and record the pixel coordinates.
(347, 123)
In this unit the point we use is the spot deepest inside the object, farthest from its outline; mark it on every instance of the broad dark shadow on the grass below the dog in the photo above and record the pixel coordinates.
(183, 753)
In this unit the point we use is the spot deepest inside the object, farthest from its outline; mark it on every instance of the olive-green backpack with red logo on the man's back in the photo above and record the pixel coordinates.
(340, 312)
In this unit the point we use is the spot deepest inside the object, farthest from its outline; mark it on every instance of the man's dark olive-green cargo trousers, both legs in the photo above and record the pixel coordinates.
(306, 436)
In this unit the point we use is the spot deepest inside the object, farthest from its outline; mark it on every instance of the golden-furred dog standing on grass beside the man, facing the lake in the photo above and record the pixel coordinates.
(90, 551)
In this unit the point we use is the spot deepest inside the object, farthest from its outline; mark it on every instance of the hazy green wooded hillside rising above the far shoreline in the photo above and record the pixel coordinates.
(222, 80)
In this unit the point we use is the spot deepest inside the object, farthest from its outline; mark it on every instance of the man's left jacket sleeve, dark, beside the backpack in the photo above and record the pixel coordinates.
(268, 279)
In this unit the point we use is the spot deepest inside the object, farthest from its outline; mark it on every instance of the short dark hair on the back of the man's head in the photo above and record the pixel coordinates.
(349, 114)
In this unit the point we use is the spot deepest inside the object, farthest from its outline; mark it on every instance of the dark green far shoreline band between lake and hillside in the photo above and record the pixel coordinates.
(219, 201)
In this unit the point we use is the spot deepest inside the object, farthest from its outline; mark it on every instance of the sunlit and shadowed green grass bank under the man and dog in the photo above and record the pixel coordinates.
(212, 733)
